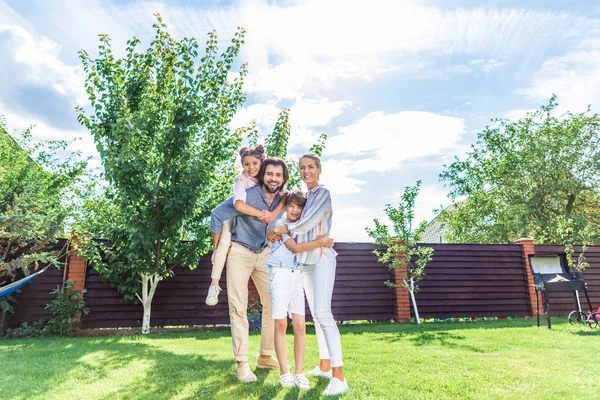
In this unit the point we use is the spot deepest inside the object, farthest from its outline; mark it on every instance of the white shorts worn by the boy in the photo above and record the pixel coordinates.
(286, 287)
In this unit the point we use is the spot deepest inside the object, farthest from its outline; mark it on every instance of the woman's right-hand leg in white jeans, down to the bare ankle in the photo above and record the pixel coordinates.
(323, 281)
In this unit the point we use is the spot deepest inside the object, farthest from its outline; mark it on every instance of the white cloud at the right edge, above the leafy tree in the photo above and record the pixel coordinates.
(574, 77)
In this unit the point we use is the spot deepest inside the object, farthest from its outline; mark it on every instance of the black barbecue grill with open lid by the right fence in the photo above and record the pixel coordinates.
(551, 274)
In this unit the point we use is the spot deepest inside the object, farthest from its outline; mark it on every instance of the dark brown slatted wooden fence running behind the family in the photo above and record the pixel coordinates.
(463, 280)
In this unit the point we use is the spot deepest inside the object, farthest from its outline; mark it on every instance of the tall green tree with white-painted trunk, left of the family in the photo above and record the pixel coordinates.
(160, 123)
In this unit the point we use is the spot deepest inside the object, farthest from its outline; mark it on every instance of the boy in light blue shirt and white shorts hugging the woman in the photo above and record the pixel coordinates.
(287, 294)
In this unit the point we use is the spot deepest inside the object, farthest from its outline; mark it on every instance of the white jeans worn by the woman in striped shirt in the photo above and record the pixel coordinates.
(318, 286)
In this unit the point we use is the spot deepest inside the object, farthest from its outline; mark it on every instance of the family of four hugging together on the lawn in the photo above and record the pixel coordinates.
(286, 257)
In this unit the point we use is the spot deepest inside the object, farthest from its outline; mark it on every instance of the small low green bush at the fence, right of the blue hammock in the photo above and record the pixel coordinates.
(67, 307)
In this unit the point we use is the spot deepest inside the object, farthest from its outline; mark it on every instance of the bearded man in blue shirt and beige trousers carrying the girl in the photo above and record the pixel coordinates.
(247, 259)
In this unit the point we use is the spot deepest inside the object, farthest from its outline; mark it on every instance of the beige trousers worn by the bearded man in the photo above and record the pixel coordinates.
(243, 264)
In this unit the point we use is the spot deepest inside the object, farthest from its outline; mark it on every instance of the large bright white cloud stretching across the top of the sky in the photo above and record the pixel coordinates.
(318, 42)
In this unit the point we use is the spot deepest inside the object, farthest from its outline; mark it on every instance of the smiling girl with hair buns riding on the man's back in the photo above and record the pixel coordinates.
(251, 158)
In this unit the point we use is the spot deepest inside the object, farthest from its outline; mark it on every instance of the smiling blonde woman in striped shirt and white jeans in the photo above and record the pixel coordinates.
(319, 276)
